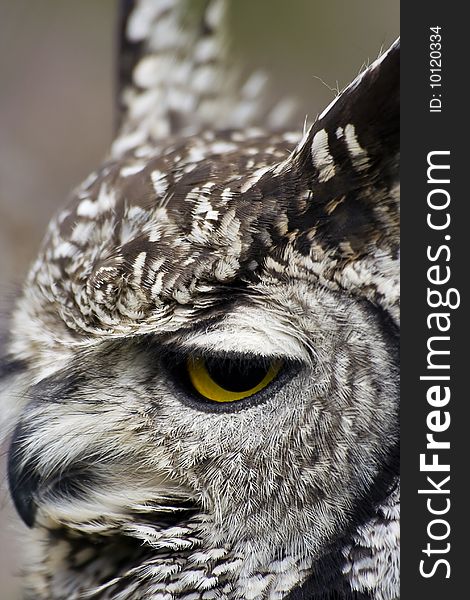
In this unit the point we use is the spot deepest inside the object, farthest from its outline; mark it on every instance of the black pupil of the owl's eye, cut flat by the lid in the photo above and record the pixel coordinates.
(236, 375)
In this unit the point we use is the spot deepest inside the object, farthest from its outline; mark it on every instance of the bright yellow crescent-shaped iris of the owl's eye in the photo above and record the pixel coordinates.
(204, 383)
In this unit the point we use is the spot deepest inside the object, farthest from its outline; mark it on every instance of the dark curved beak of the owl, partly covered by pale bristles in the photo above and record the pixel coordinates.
(23, 481)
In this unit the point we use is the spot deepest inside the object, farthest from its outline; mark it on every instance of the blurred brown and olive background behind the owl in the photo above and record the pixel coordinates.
(56, 101)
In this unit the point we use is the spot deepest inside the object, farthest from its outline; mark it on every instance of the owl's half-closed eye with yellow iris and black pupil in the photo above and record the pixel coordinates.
(228, 380)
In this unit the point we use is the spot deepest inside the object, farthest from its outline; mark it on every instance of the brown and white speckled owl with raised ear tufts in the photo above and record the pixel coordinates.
(201, 380)
